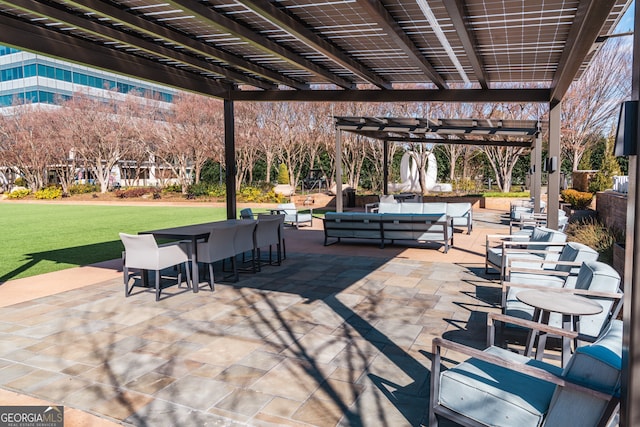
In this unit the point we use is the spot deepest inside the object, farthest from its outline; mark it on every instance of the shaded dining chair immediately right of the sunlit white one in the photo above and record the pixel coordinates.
(219, 247)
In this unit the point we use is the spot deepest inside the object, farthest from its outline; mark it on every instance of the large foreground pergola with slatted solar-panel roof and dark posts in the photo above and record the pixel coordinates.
(348, 51)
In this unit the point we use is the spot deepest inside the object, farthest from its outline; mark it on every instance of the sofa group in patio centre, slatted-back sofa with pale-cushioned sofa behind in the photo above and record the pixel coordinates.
(419, 222)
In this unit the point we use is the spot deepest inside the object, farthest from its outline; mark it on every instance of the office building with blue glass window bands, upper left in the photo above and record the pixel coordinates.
(33, 78)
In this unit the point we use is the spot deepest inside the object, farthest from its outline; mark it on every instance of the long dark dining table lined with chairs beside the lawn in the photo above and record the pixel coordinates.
(191, 233)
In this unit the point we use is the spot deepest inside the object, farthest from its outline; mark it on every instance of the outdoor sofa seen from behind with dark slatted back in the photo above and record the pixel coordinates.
(432, 227)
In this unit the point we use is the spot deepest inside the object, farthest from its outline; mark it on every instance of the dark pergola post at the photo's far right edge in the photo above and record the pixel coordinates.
(630, 394)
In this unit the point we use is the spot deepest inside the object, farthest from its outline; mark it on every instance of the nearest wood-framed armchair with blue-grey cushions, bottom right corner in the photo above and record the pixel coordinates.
(497, 387)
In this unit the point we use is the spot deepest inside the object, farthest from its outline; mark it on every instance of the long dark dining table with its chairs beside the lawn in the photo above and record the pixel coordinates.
(206, 243)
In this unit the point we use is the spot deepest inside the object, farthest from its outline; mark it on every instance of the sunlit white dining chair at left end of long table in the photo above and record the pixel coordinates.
(141, 252)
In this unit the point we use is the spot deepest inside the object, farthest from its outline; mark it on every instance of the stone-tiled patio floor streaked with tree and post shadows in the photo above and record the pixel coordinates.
(337, 335)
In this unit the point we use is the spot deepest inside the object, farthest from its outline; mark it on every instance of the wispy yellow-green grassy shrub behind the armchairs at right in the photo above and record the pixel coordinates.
(596, 235)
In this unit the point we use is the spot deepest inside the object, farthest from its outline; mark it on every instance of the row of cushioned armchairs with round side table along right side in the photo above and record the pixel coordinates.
(550, 288)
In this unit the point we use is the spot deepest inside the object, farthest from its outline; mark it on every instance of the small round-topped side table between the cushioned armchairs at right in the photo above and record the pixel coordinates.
(570, 306)
